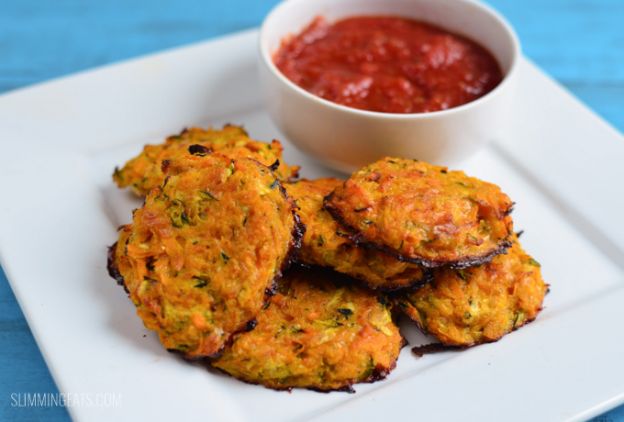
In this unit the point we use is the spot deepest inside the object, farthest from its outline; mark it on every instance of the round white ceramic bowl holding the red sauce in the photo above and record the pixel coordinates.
(346, 138)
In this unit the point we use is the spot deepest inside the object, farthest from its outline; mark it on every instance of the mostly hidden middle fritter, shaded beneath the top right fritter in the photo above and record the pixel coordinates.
(326, 244)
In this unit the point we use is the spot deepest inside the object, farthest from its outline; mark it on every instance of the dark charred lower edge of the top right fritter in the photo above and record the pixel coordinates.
(359, 239)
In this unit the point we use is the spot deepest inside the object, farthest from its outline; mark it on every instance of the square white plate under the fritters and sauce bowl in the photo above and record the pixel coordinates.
(60, 141)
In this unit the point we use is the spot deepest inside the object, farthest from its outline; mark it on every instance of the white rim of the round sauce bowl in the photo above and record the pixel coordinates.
(267, 60)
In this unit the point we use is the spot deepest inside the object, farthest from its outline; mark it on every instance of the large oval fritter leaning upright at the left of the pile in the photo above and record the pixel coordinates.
(202, 252)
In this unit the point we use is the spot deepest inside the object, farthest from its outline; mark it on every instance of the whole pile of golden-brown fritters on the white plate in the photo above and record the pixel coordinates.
(205, 260)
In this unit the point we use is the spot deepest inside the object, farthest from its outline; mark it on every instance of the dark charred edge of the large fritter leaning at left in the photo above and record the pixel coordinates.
(291, 257)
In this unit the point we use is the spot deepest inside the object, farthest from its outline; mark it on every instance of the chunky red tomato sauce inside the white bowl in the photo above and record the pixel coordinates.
(387, 64)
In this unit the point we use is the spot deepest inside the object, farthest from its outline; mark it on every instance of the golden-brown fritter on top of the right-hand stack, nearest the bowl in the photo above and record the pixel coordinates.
(424, 213)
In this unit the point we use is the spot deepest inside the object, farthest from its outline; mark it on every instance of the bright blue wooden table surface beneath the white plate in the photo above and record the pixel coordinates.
(579, 42)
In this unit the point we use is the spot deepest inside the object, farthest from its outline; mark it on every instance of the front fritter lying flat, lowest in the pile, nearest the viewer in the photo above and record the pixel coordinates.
(317, 332)
